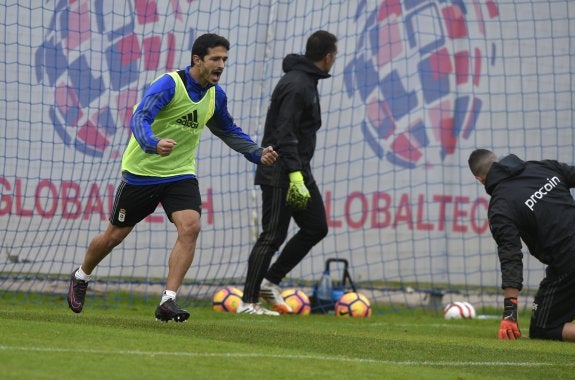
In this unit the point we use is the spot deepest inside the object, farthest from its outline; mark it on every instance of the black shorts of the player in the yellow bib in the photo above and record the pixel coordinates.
(133, 203)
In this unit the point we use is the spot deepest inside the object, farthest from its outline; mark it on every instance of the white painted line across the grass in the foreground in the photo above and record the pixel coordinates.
(280, 356)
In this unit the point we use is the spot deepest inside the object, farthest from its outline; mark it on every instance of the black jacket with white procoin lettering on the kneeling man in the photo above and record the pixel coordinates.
(531, 201)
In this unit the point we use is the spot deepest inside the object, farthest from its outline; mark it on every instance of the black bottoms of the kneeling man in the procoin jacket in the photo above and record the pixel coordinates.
(553, 306)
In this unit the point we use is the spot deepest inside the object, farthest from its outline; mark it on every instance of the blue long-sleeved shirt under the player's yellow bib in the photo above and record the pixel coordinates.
(159, 94)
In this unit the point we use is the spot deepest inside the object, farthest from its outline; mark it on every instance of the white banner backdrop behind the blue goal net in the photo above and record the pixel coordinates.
(426, 227)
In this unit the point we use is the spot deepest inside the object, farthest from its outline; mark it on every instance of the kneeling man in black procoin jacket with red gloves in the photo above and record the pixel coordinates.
(531, 201)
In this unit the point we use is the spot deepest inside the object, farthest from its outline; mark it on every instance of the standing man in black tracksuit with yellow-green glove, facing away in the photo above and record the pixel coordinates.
(288, 188)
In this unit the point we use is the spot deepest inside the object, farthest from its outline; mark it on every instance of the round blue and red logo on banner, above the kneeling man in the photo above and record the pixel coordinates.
(417, 70)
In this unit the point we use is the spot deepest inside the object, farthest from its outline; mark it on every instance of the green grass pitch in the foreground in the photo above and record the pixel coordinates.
(45, 340)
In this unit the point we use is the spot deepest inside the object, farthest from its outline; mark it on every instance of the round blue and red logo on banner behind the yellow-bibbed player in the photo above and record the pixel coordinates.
(93, 60)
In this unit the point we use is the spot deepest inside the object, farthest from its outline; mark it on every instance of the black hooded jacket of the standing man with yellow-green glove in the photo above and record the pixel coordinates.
(292, 122)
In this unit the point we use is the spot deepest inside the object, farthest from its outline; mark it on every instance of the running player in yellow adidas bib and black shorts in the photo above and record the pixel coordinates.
(159, 166)
